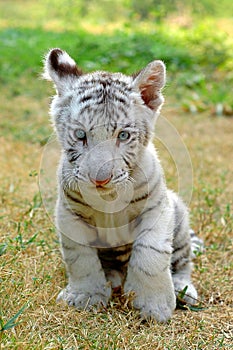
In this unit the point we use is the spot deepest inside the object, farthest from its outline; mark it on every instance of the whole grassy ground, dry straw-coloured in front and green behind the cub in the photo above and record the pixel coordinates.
(199, 64)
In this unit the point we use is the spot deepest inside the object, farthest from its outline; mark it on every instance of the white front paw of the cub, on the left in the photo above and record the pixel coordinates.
(84, 300)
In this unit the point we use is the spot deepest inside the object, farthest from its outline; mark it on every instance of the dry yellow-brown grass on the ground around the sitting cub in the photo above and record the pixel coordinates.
(32, 272)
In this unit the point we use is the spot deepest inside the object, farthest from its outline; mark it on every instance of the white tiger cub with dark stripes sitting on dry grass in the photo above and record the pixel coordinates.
(104, 123)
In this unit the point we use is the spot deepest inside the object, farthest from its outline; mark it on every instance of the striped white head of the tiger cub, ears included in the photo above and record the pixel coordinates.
(104, 121)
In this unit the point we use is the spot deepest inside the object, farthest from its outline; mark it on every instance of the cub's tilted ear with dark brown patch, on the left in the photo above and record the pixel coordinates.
(61, 69)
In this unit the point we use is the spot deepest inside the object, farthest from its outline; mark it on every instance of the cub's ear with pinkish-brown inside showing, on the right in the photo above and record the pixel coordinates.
(150, 82)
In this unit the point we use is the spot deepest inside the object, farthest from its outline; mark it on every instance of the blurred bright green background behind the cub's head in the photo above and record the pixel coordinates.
(192, 37)
